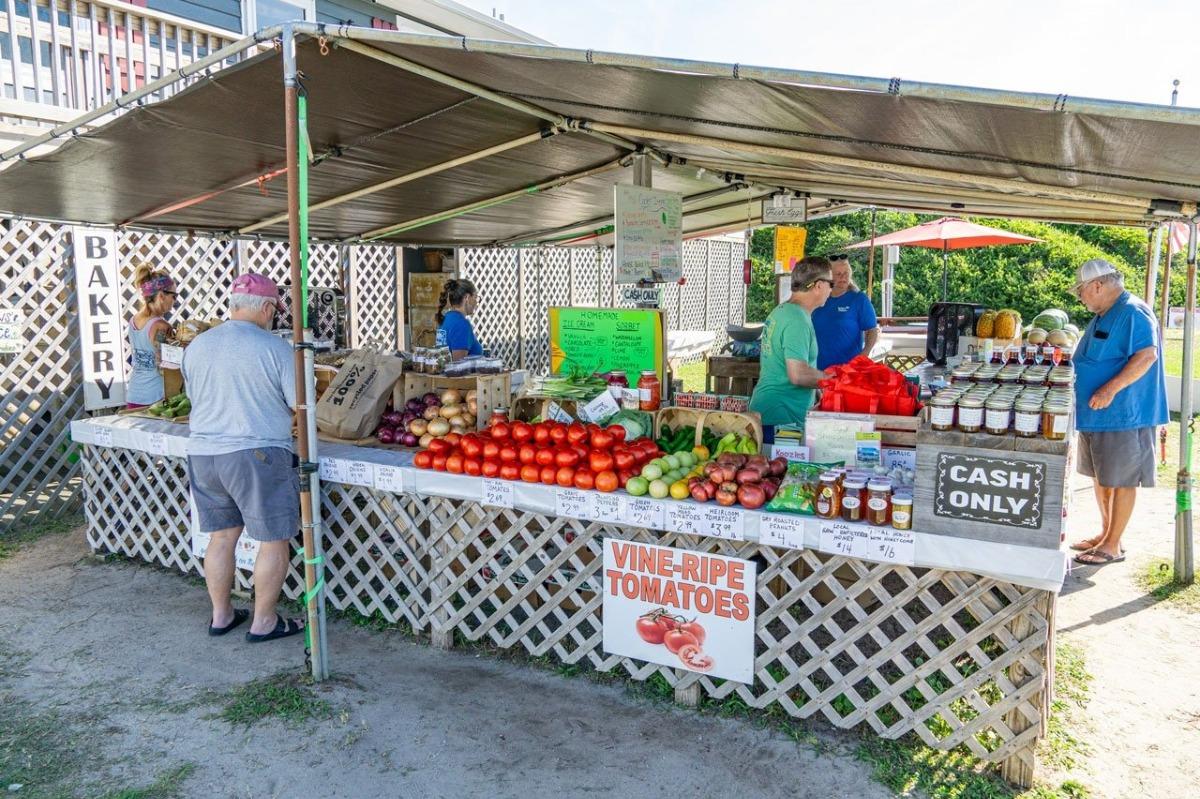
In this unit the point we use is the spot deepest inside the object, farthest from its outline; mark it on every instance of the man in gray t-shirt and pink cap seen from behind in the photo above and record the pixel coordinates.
(241, 380)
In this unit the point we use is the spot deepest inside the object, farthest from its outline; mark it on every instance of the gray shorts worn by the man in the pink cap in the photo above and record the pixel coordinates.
(259, 490)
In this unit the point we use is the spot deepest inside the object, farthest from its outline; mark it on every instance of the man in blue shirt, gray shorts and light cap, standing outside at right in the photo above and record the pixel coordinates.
(1120, 401)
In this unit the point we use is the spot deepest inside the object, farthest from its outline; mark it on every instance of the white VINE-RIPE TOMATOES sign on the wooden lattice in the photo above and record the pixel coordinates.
(682, 609)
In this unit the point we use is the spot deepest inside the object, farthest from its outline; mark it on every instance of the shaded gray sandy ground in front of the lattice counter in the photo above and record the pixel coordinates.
(122, 650)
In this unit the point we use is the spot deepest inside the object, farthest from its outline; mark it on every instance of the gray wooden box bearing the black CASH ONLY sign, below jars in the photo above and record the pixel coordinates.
(949, 502)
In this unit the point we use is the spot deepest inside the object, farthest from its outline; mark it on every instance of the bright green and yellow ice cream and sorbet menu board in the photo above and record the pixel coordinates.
(603, 340)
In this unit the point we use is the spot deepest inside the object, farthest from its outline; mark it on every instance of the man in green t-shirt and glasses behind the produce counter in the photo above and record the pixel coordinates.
(789, 364)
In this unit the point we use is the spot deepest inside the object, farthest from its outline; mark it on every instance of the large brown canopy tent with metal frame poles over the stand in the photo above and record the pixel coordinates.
(494, 143)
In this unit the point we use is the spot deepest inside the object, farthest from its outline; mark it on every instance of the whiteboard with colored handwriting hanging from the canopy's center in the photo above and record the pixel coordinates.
(649, 232)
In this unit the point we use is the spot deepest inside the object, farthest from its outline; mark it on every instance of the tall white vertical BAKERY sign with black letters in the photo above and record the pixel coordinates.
(101, 332)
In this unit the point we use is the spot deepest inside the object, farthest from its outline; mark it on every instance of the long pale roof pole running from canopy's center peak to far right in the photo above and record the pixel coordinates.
(1000, 184)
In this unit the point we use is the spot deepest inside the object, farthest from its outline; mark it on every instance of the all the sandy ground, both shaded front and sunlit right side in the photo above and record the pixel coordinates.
(121, 652)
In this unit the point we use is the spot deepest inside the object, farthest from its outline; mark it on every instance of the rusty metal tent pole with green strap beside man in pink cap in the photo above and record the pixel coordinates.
(310, 483)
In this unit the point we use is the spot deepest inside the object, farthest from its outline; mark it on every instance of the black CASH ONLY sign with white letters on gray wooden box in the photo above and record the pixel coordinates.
(998, 491)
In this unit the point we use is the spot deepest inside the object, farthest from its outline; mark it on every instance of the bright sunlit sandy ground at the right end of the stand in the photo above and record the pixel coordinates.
(1144, 716)
